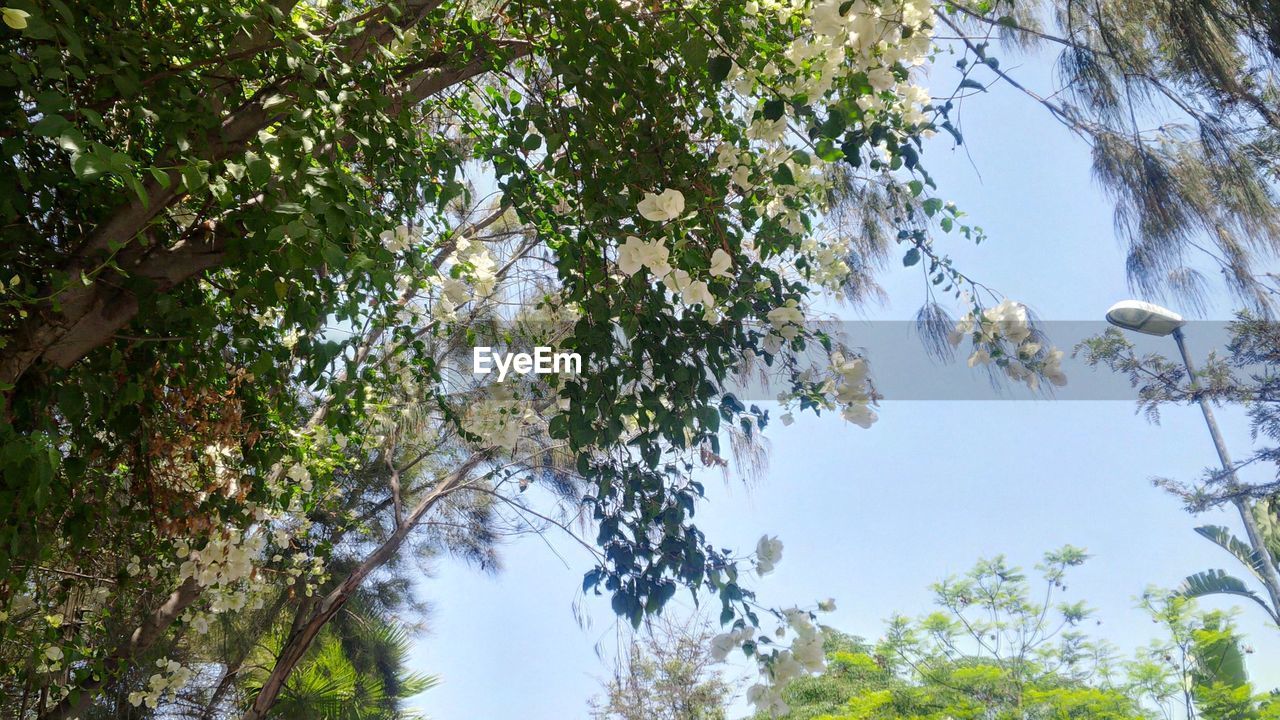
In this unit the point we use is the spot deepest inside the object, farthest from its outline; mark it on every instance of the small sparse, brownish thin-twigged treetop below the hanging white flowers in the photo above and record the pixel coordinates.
(669, 675)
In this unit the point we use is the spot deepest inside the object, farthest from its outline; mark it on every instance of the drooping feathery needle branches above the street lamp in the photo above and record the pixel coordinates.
(1178, 102)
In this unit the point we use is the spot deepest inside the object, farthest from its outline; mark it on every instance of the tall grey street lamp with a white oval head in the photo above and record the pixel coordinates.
(1160, 322)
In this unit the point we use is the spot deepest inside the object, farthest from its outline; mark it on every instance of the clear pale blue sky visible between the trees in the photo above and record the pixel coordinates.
(872, 518)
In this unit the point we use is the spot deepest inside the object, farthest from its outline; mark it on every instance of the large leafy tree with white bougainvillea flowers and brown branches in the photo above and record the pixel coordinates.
(243, 243)
